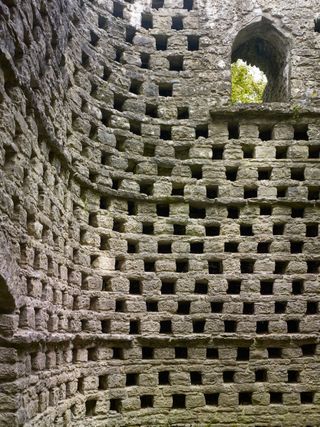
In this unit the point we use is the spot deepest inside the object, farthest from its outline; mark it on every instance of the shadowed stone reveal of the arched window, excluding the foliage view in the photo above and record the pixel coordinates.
(260, 44)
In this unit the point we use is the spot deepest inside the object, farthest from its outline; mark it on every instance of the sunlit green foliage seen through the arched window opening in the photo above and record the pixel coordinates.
(248, 83)
